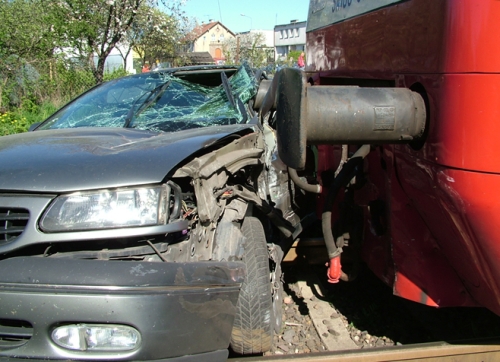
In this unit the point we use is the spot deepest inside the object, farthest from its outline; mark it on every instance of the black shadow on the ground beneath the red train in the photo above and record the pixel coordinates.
(370, 306)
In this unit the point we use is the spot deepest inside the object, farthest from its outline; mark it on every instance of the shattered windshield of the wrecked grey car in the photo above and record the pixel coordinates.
(163, 101)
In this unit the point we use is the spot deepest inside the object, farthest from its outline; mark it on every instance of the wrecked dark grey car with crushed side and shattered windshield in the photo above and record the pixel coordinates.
(146, 220)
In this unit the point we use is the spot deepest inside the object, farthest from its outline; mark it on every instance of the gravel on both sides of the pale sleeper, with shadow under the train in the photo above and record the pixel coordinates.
(374, 317)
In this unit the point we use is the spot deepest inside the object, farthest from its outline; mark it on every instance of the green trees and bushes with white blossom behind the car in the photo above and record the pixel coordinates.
(56, 49)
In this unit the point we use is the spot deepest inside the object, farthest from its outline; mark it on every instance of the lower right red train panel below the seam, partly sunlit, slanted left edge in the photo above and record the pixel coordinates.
(462, 212)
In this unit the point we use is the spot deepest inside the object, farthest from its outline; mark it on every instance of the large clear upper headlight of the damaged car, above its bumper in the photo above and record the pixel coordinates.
(105, 209)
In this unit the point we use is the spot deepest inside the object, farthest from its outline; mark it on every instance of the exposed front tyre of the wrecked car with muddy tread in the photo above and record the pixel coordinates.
(254, 322)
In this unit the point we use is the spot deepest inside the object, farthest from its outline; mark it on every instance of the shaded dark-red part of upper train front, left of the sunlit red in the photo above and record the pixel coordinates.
(400, 38)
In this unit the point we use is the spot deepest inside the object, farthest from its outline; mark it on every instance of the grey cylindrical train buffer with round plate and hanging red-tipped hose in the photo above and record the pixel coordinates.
(306, 114)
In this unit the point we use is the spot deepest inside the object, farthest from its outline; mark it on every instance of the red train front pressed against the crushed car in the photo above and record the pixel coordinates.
(430, 206)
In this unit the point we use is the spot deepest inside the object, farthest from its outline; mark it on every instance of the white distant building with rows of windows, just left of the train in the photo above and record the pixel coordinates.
(289, 37)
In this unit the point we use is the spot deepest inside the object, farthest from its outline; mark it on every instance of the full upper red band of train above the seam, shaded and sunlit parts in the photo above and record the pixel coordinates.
(416, 36)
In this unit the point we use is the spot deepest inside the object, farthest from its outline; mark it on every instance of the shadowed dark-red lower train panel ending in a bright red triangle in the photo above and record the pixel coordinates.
(408, 256)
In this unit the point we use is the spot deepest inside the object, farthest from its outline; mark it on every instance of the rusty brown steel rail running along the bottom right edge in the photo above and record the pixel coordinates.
(467, 351)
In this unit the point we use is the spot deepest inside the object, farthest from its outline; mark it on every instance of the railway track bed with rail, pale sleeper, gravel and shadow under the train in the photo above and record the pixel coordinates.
(363, 321)
